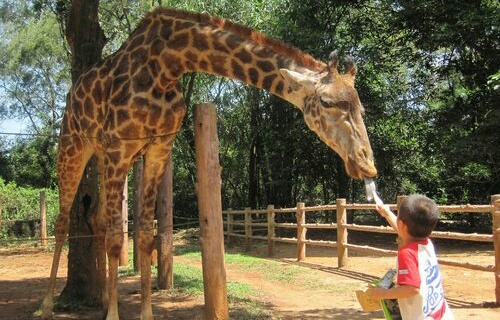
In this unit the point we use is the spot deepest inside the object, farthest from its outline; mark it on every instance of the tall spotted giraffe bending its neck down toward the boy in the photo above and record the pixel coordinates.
(130, 104)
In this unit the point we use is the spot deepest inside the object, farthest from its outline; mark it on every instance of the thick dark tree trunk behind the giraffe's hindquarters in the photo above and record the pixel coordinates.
(86, 40)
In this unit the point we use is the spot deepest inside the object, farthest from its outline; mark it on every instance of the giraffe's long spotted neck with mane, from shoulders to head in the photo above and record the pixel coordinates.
(177, 42)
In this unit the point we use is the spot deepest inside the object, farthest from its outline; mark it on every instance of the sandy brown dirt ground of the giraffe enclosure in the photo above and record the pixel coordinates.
(324, 291)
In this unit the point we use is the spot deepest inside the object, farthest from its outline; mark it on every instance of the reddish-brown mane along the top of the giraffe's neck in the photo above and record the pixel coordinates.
(277, 46)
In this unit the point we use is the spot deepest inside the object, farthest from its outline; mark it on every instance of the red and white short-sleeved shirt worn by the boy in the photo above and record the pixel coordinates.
(418, 267)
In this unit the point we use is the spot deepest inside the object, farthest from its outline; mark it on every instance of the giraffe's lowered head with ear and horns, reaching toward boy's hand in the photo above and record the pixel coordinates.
(332, 109)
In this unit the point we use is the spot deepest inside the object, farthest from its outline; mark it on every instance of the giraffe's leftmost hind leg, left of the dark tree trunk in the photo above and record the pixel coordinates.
(73, 155)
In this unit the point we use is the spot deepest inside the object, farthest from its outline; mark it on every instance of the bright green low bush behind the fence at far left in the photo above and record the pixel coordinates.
(21, 203)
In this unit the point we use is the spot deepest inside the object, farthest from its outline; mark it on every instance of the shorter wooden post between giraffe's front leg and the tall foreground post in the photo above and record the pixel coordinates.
(165, 205)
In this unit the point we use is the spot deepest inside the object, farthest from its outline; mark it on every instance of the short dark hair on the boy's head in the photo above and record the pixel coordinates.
(420, 214)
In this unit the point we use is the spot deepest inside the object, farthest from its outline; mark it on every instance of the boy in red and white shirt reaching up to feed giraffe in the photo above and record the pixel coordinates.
(419, 290)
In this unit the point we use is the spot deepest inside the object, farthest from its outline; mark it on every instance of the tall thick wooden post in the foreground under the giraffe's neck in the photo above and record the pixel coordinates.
(208, 173)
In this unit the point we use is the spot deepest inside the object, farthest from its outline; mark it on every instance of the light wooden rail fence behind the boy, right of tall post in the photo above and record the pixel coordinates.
(244, 223)
